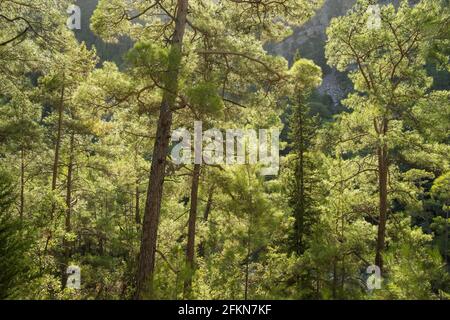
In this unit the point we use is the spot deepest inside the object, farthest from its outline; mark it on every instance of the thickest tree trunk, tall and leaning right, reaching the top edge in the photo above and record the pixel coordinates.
(146, 265)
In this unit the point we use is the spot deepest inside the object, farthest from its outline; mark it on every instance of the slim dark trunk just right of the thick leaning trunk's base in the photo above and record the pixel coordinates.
(190, 248)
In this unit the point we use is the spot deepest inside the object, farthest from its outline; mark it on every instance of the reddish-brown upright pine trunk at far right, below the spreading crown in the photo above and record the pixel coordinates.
(383, 164)
